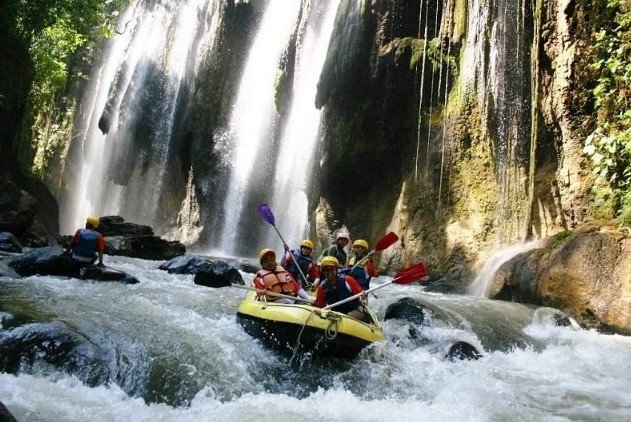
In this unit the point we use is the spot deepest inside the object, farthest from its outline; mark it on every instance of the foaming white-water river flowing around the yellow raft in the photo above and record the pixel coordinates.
(169, 350)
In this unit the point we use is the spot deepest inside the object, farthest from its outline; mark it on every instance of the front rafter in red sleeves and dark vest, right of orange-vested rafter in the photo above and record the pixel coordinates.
(335, 287)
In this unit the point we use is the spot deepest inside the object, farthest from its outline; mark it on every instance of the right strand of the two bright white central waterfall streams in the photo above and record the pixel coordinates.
(300, 137)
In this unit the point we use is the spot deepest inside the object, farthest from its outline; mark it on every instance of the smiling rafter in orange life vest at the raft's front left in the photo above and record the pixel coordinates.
(274, 278)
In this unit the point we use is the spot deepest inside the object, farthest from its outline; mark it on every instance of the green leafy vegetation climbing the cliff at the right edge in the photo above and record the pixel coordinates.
(609, 145)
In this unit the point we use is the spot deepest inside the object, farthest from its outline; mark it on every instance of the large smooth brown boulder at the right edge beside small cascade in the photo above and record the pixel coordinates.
(586, 275)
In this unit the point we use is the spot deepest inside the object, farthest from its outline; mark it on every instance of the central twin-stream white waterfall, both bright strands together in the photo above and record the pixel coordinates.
(271, 151)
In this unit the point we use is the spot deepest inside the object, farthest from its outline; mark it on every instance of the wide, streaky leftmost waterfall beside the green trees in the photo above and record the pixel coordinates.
(132, 109)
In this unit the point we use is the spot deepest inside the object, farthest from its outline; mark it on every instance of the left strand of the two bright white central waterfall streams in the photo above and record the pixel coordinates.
(253, 115)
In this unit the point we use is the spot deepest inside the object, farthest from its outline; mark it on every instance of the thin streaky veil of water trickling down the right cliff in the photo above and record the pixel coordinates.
(496, 68)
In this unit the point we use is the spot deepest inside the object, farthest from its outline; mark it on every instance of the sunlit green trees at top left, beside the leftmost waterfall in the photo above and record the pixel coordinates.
(54, 32)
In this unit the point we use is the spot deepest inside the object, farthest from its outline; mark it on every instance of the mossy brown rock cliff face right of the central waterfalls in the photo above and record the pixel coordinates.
(493, 154)
